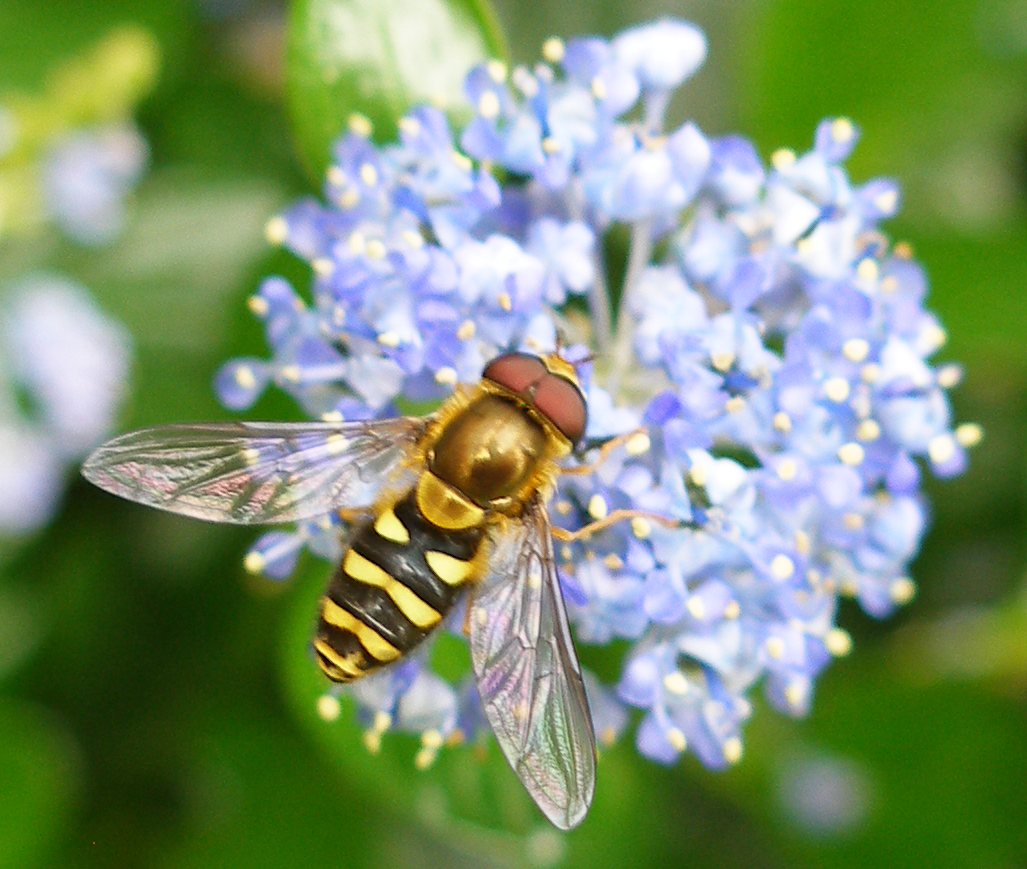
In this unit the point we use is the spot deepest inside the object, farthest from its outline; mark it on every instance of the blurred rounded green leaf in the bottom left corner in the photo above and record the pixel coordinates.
(40, 783)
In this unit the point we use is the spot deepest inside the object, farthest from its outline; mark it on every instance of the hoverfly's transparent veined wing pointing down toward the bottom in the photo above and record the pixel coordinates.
(528, 674)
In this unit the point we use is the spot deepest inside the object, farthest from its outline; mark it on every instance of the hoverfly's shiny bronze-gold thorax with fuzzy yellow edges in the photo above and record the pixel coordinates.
(496, 449)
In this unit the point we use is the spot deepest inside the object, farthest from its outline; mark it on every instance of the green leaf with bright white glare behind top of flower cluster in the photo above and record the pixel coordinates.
(379, 58)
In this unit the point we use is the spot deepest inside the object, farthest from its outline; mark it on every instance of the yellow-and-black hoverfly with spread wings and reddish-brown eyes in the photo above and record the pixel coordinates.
(447, 506)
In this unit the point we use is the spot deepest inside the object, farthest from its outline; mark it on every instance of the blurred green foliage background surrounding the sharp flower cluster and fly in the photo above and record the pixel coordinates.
(158, 703)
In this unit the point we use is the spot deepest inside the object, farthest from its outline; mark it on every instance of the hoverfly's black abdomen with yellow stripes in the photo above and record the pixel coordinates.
(399, 579)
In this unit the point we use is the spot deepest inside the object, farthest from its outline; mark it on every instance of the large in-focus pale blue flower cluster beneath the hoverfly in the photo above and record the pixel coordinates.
(776, 352)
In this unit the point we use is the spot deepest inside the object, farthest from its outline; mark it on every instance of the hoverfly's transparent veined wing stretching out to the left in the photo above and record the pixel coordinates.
(250, 473)
